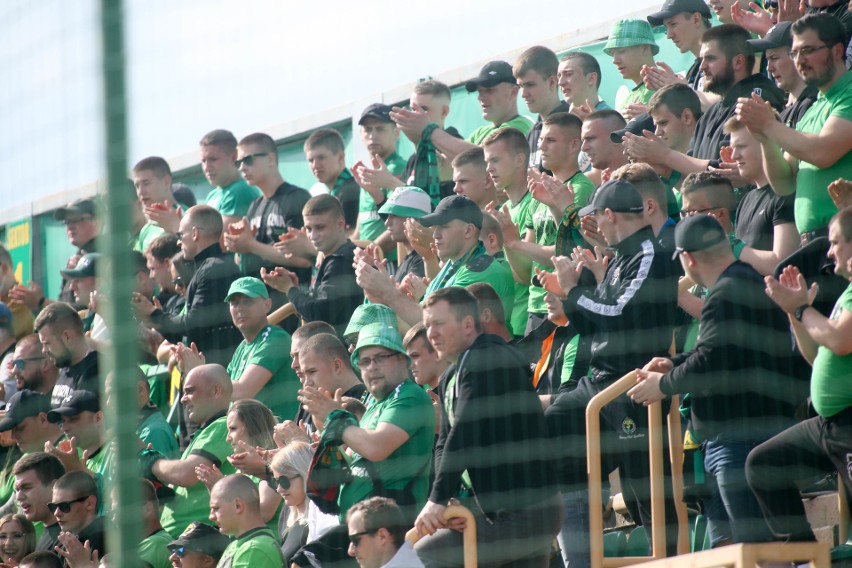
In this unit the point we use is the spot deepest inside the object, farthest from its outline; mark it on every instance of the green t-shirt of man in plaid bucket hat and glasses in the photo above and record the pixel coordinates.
(410, 408)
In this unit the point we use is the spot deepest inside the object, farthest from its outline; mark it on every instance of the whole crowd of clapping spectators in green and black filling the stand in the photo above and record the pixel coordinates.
(424, 331)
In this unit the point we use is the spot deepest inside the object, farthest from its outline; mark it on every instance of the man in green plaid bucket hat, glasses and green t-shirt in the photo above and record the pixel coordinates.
(392, 446)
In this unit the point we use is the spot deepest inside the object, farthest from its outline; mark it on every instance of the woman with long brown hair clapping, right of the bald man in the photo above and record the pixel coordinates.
(250, 426)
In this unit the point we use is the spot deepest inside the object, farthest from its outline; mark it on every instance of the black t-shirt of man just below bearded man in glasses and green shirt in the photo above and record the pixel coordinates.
(759, 211)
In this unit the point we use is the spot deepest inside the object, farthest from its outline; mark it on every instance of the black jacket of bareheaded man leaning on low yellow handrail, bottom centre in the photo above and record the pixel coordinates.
(497, 433)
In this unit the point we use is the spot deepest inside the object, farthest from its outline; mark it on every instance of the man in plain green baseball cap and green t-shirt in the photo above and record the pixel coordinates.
(260, 367)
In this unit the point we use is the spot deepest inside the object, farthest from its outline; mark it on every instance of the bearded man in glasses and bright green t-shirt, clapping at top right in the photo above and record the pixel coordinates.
(818, 151)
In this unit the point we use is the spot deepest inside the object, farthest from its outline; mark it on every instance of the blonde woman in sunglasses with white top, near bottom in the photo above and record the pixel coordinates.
(303, 522)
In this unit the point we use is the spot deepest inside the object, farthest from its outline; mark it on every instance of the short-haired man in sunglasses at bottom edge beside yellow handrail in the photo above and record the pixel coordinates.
(377, 535)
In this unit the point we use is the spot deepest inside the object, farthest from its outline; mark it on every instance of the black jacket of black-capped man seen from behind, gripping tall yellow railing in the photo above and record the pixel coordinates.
(741, 372)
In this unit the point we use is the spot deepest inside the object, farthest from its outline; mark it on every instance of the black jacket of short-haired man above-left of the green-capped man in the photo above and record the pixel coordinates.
(207, 321)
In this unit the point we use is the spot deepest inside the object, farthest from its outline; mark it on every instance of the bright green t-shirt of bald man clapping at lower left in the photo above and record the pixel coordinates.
(193, 503)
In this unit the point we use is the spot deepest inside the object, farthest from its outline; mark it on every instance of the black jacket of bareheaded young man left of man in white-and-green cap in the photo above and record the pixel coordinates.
(333, 294)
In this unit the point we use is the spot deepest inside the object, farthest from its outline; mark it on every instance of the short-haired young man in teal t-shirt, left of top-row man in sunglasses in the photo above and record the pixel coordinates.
(231, 195)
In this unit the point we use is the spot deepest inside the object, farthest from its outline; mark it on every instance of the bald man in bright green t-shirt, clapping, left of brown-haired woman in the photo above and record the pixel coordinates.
(206, 395)
